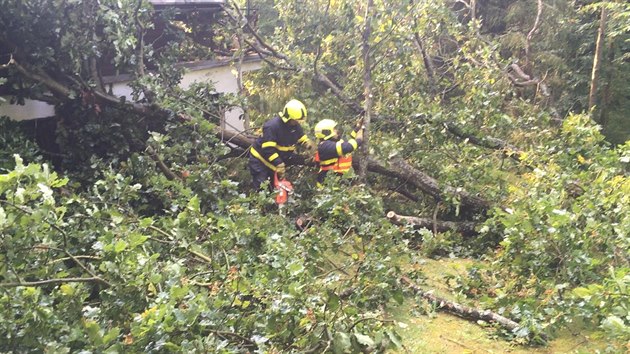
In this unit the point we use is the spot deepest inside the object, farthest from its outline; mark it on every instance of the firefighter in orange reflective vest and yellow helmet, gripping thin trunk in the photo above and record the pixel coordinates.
(333, 153)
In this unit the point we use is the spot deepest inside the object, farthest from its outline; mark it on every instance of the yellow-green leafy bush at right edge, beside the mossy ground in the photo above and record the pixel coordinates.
(566, 226)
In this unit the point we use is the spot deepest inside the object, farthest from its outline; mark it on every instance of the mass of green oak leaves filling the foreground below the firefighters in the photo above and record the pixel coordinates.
(86, 271)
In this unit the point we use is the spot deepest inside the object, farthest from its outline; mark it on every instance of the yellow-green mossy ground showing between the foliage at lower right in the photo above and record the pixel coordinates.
(440, 332)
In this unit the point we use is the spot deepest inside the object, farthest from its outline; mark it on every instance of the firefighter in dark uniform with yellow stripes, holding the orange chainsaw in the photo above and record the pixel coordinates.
(277, 145)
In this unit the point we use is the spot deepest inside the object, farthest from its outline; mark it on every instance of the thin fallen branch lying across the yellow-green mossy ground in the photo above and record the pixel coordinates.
(461, 310)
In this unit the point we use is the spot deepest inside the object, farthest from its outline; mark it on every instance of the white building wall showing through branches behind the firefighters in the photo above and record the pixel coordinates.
(222, 74)
